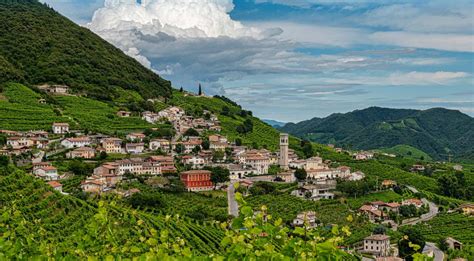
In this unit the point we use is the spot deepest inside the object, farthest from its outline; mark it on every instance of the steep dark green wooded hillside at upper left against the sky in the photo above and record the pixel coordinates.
(38, 45)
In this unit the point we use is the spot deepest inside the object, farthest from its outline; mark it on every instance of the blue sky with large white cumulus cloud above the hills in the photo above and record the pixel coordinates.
(292, 60)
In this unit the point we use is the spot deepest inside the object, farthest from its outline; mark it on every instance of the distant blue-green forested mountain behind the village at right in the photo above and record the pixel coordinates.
(436, 131)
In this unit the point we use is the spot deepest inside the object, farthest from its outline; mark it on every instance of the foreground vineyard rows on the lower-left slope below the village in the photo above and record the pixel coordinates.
(68, 226)
